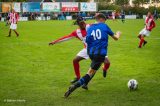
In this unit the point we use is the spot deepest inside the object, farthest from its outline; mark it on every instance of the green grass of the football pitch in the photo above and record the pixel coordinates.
(40, 74)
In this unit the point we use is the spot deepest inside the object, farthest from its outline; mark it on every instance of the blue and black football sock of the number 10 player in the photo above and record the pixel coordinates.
(85, 79)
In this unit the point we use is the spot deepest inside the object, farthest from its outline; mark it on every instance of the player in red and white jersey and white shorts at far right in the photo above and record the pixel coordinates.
(149, 25)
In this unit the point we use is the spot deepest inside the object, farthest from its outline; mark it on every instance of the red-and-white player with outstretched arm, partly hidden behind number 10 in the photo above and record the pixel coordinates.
(80, 33)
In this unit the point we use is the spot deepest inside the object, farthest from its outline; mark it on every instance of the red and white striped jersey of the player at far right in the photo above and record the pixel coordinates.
(149, 23)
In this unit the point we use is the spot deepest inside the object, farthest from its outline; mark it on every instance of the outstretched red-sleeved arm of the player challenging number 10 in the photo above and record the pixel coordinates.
(64, 38)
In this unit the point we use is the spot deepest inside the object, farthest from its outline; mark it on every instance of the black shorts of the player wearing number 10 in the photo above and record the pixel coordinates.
(97, 60)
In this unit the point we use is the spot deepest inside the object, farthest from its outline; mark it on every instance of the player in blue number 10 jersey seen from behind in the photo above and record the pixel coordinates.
(97, 42)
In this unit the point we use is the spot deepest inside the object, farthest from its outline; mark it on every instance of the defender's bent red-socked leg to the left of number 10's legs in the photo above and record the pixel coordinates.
(76, 66)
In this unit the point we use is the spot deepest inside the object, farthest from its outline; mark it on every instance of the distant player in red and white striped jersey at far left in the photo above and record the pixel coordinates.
(13, 20)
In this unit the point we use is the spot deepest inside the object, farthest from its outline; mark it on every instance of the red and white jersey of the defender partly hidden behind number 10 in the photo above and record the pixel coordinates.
(78, 33)
